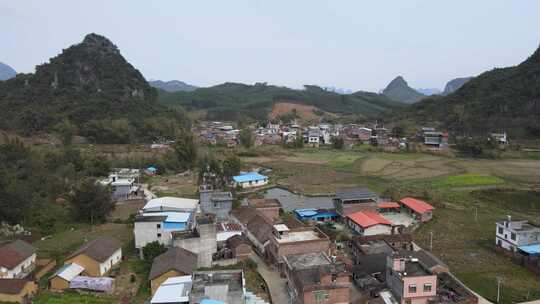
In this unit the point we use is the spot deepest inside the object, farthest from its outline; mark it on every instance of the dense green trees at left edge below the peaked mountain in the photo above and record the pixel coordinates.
(50, 188)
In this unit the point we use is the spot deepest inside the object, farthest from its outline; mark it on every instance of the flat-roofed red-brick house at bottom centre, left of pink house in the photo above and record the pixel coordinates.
(315, 278)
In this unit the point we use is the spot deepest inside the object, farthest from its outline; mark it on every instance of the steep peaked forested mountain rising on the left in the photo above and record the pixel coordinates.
(88, 81)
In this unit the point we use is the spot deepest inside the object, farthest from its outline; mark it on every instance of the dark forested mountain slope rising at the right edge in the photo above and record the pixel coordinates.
(503, 99)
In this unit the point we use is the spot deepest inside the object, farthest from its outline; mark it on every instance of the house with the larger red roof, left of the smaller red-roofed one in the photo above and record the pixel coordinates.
(368, 223)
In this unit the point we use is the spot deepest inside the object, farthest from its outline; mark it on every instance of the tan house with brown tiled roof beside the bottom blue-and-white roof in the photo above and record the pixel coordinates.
(172, 263)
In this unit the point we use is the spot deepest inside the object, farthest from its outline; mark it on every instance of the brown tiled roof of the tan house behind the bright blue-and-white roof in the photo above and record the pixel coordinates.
(175, 258)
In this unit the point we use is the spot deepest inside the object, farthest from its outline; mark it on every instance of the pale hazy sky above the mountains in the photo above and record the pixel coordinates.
(348, 44)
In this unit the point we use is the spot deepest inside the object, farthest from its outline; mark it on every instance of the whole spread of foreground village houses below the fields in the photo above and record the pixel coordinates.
(378, 260)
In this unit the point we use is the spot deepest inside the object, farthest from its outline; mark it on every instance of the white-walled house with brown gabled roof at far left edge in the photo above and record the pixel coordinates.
(17, 260)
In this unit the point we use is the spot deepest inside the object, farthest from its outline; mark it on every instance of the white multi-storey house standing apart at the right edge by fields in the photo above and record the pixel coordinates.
(511, 235)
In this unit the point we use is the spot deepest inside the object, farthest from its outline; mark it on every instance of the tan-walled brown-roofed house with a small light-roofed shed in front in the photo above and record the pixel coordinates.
(98, 256)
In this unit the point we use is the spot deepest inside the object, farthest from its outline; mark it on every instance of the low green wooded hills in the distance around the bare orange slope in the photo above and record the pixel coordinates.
(235, 101)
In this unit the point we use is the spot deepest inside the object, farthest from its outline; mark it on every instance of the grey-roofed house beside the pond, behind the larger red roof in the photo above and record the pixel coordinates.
(350, 200)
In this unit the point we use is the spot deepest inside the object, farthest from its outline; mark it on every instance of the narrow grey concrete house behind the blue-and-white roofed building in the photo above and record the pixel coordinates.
(215, 202)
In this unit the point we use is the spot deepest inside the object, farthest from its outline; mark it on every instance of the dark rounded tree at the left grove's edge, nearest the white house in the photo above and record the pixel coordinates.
(92, 202)
